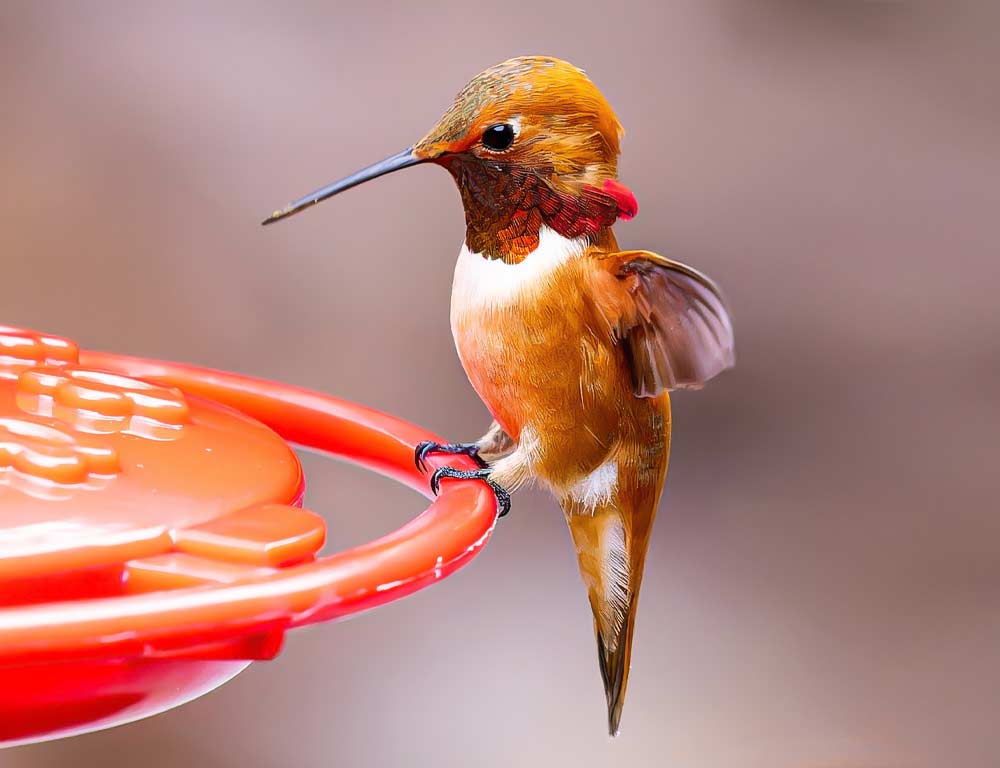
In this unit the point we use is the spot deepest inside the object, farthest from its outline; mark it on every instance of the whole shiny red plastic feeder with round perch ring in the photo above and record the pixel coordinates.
(152, 540)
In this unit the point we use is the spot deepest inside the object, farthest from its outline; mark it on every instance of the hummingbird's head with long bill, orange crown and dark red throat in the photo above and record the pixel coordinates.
(531, 143)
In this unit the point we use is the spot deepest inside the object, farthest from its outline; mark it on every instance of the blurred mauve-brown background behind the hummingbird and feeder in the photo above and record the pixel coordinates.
(824, 584)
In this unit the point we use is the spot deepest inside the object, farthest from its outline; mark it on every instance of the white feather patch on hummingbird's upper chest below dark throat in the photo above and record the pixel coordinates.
(482, 283)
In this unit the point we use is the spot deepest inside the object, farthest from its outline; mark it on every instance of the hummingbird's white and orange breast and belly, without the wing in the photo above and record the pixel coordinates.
(539, 348)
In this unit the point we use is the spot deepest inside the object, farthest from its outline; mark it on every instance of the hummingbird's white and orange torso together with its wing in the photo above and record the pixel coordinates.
(575, 340)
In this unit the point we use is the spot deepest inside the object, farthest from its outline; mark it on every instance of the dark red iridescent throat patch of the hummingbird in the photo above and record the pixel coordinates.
(505, 210)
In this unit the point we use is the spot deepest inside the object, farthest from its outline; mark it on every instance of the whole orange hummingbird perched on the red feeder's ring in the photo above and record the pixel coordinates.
(572, 343)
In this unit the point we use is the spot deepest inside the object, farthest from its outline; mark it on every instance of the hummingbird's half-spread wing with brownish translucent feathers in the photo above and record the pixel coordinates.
(680, 335)
